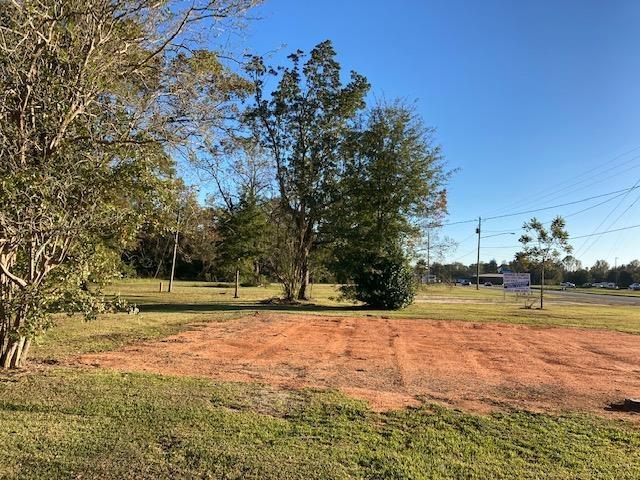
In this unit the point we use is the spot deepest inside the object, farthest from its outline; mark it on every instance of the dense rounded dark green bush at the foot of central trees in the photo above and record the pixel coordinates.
(383, 281)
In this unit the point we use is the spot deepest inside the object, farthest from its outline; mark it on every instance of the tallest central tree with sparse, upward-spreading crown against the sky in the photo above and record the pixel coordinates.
(302, 127)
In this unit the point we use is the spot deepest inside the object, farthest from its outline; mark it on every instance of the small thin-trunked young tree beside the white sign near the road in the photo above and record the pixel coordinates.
(544, 247)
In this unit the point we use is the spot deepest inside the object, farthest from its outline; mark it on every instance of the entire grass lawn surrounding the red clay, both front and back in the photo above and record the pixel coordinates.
(59, 421)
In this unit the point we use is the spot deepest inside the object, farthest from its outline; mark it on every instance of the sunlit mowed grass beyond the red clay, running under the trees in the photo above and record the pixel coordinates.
(163, 314)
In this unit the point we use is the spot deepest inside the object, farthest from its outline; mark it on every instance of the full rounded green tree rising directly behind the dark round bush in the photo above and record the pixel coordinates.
(393, 180)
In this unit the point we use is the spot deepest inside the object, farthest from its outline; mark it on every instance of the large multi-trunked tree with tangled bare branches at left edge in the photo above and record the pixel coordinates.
(92, 92)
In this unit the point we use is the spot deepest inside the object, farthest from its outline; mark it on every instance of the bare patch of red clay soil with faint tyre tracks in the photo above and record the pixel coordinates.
(395, 363)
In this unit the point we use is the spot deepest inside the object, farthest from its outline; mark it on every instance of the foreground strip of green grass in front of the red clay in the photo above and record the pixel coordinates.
(68, 423)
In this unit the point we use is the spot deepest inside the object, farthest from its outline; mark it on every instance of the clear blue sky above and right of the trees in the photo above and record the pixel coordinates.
(524, 95)
